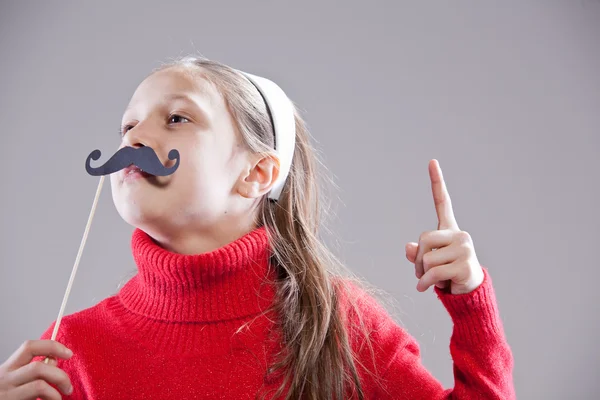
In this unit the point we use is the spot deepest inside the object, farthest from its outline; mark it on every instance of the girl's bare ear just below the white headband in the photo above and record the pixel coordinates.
(260, 178)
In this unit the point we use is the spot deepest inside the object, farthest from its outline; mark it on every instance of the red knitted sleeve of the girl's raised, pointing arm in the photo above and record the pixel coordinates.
(482, 359)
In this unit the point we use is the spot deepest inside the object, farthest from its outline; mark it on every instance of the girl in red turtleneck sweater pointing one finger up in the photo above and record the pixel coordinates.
(235, 295)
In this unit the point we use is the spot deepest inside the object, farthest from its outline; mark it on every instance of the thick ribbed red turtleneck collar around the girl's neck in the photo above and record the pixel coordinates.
(231, 282)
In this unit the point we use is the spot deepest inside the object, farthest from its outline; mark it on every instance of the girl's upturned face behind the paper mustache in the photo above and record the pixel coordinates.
(213, 185)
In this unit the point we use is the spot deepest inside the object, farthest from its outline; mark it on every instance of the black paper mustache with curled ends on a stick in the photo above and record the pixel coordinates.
(144, 157)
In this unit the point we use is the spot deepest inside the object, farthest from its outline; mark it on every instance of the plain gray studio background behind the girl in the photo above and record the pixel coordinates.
(505, 94)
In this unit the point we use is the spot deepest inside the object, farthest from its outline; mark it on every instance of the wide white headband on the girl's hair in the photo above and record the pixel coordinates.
(284, 125)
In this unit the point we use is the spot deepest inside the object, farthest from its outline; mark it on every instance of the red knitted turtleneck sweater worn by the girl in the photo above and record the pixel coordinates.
(191, 327)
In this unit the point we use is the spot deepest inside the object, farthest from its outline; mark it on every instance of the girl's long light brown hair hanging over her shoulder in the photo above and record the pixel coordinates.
(317, 361)
